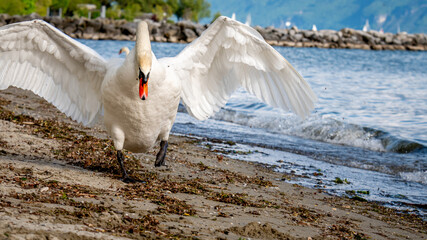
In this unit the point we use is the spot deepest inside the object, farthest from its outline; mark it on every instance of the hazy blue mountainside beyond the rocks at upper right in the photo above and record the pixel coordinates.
(408, 15)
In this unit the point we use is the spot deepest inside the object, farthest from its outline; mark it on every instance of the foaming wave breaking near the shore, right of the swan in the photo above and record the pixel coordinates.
(323, 128)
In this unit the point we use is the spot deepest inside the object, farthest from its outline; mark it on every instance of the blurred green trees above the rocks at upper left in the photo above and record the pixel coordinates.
(193, 10)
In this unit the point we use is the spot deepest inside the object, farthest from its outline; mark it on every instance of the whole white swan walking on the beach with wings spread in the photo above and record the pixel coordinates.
(38, 57)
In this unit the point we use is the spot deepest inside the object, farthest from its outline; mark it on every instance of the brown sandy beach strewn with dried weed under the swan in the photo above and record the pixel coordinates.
(59, 180)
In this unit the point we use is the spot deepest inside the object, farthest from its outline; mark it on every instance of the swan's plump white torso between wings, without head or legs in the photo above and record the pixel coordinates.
(148, 121)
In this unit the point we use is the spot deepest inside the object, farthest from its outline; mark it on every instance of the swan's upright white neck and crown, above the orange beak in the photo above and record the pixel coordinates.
(143, 47)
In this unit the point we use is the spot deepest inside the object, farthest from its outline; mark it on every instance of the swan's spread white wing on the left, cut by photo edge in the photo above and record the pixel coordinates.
(38, 57)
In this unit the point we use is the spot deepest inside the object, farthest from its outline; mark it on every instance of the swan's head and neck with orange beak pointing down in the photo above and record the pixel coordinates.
(143, 58)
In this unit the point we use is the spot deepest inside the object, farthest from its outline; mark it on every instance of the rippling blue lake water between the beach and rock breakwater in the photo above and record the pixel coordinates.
(369, 125)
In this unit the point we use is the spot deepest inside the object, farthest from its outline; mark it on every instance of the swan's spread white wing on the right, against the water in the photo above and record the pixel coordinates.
(230, 54)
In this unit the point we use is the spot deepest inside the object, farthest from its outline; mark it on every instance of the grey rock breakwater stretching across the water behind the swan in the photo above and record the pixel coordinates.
(186, 32)
